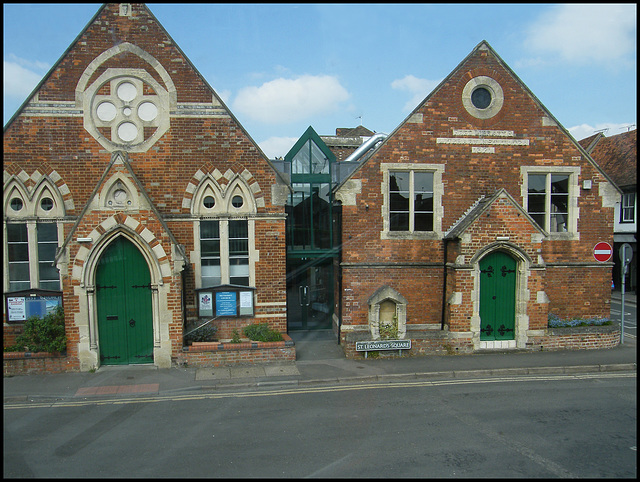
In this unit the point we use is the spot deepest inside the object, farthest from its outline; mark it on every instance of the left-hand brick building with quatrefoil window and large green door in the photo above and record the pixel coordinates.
(128, 188)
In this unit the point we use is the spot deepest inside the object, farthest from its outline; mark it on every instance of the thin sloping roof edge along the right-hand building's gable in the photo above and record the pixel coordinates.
(484, 45)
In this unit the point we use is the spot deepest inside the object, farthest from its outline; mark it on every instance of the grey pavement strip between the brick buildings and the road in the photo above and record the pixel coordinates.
(320, 361)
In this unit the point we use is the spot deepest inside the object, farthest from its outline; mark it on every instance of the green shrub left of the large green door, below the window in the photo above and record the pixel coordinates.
(44, 334)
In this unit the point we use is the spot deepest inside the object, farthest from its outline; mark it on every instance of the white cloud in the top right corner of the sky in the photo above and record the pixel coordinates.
(583, 33)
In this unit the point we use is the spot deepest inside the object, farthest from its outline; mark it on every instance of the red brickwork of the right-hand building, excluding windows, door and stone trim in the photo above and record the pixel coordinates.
(467, 176)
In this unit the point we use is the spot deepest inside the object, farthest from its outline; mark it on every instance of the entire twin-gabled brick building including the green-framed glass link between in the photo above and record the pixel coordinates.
(133, 196)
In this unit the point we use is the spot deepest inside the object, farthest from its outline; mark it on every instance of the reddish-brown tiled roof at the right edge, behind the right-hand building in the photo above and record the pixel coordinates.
(616, 155)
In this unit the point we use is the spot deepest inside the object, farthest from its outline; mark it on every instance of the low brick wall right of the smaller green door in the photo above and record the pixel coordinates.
(577, 338)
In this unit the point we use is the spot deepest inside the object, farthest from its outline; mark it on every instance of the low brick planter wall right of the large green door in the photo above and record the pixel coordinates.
(215, 354)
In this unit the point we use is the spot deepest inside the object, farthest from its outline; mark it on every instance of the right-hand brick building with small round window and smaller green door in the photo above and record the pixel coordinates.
(473, 221)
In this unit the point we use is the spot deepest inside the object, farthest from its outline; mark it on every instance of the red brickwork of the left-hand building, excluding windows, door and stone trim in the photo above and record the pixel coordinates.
(61, 143)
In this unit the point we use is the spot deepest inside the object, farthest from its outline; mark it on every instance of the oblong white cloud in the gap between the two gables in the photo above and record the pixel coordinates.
(288, 100)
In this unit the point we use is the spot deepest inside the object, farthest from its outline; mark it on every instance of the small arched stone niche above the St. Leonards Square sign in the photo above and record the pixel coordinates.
(387, 308)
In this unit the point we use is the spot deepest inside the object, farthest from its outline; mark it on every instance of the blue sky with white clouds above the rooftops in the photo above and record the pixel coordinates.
(281, 68)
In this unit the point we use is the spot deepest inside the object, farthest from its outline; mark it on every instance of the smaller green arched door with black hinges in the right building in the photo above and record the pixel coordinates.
(497, 297)
